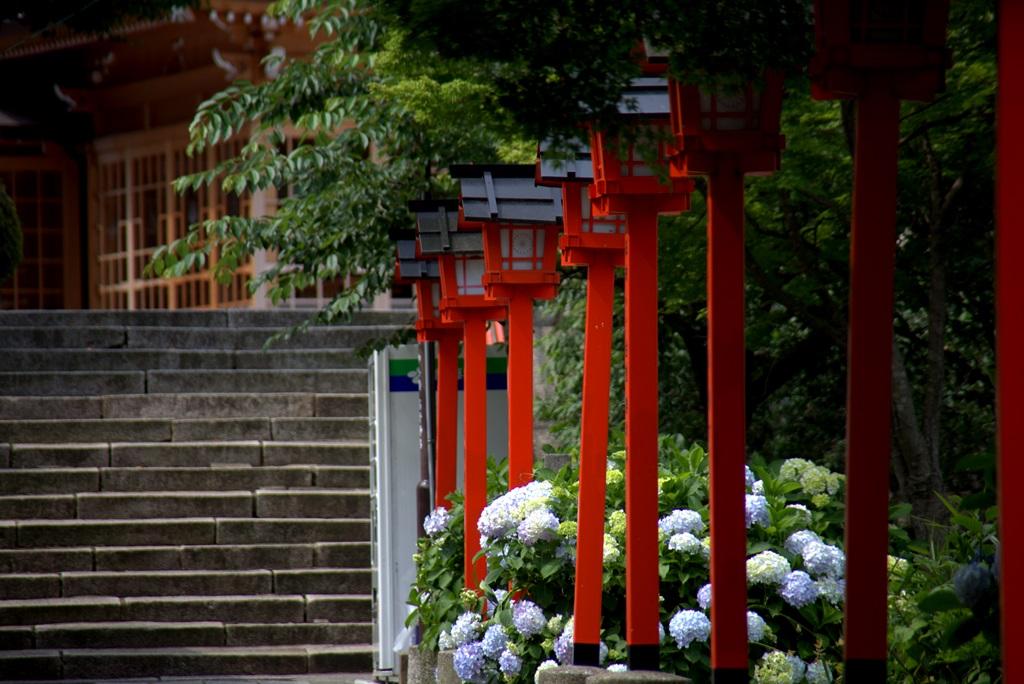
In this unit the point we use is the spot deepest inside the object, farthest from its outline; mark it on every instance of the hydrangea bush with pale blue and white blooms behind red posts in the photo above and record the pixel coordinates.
(522, 619)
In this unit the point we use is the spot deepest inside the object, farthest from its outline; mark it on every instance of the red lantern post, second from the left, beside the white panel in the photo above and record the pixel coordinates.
(475, 400)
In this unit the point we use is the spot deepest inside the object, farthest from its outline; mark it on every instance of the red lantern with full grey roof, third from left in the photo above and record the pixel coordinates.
(521, 228)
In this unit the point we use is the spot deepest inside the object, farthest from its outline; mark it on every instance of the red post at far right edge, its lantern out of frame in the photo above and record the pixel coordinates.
(1010, 334)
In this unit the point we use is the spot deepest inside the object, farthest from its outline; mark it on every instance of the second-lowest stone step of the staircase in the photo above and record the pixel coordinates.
(157, 635)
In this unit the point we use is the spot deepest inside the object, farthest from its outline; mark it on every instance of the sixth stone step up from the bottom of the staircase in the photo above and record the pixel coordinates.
(176, 532)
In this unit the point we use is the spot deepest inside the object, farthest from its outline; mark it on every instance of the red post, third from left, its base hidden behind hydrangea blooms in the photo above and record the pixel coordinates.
(521, 390)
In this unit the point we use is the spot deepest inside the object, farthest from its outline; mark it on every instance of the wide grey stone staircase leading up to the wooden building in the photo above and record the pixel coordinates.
(176, 501)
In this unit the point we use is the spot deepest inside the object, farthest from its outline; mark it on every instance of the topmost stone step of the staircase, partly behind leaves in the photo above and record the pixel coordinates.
(190, 319)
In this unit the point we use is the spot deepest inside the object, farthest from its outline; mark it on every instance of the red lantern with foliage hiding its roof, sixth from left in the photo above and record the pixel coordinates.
(743, 122)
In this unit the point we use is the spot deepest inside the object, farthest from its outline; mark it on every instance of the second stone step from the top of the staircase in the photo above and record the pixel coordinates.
(187, 338)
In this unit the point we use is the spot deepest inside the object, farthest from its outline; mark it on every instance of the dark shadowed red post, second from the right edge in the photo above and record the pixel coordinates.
(870, 383)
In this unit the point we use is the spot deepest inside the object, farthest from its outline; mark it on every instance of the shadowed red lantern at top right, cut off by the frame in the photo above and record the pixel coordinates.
(899, 42)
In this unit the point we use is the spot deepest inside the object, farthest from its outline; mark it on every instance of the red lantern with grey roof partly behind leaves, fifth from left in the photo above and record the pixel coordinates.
(638, 168)
